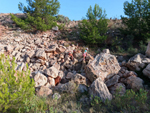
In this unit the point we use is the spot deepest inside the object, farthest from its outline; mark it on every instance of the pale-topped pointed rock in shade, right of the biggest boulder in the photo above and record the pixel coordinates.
(136, 62)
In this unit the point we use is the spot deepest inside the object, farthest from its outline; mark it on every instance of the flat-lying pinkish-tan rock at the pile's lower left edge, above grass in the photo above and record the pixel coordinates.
(44, 91)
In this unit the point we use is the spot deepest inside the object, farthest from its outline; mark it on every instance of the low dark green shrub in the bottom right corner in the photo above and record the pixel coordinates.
(130, 101)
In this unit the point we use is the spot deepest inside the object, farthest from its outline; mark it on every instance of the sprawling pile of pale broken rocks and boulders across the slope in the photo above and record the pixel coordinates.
(56, 66)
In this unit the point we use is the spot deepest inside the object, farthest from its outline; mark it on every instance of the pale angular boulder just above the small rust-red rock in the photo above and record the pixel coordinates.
(52, 72)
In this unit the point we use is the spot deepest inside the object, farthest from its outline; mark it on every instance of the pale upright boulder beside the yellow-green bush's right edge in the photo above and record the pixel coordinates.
(40, 79)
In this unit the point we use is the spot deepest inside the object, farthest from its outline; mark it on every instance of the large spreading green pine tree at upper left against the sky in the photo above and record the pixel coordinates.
(40, 14)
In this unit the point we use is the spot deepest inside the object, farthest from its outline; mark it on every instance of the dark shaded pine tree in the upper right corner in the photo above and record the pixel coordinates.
(137, 12)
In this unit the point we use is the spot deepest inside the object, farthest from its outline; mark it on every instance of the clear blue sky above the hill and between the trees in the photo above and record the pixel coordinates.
(74, 9)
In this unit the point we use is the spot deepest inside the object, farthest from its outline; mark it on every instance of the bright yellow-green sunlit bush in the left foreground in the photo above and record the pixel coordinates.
(15, 86)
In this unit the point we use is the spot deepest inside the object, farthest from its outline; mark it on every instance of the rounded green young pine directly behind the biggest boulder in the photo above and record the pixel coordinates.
(93, 30)
